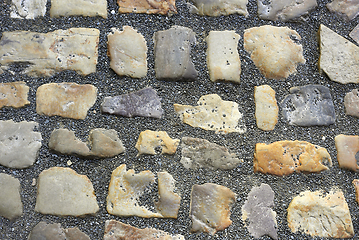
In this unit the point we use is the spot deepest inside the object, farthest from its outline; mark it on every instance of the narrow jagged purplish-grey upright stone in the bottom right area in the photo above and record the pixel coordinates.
(257, 214)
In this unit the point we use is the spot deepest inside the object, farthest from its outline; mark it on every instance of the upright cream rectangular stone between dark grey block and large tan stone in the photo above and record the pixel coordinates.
(222, 56)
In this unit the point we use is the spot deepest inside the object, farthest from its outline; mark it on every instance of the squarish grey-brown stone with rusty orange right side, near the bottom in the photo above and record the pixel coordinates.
(210, 207)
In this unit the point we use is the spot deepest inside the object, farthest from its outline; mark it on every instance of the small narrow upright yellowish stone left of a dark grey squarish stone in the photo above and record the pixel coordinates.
(266, 107)
